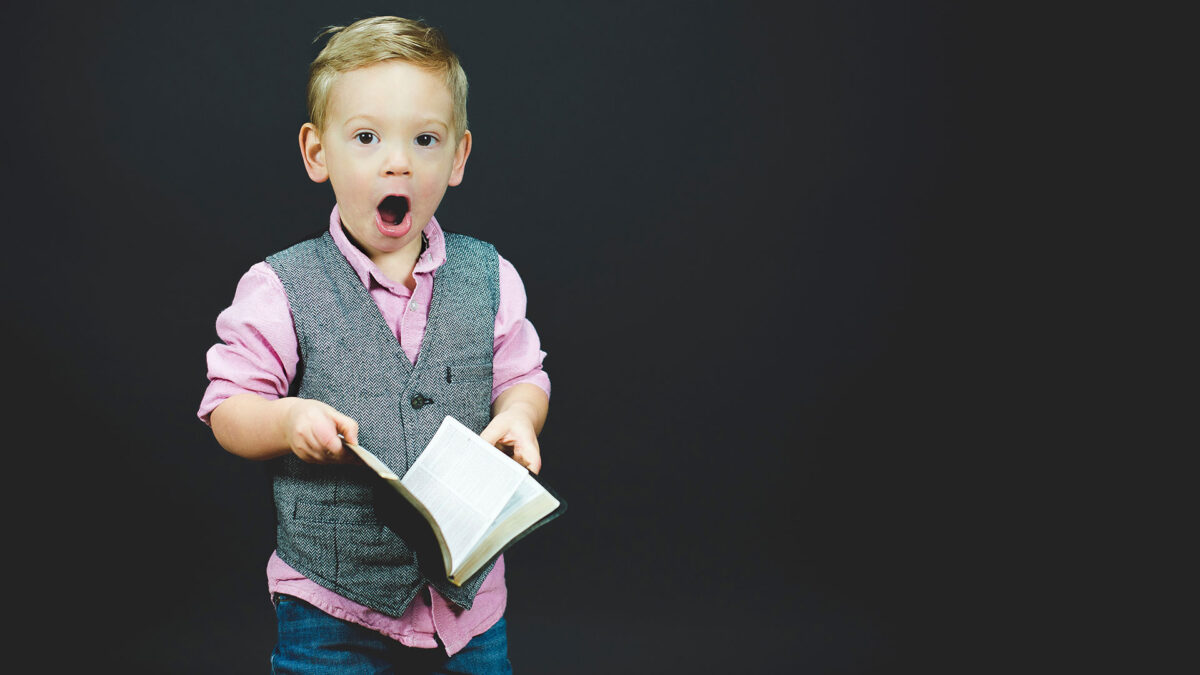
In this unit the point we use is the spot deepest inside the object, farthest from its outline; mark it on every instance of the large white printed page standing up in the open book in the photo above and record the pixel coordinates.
(465, 483)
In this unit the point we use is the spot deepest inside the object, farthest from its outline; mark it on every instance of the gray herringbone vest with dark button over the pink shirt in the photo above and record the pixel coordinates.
(329, 529)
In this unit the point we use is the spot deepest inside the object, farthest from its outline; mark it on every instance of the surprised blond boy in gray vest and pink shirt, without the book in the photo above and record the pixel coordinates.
(376, 331)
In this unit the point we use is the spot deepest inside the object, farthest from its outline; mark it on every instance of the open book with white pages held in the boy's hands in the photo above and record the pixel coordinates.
(478, 500)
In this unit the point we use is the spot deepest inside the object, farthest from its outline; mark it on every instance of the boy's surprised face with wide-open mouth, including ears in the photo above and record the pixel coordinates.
(389, 151)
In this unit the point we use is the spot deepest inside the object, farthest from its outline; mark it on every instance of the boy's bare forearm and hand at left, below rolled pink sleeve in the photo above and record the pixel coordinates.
(256, 428)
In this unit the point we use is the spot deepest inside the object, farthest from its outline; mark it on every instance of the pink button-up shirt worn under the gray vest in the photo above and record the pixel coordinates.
(260, 354)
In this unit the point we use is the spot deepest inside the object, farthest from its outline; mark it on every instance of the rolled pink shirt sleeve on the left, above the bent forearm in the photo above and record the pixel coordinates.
(259, 350)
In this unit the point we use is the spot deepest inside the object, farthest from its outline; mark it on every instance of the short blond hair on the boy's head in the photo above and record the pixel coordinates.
(383, 39)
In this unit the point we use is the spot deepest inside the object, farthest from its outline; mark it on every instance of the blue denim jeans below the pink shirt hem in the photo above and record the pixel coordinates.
(314, 642)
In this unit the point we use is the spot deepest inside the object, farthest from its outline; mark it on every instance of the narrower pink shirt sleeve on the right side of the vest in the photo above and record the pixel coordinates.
(517, 351)
